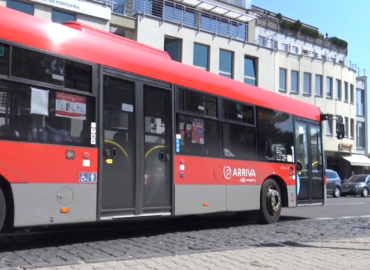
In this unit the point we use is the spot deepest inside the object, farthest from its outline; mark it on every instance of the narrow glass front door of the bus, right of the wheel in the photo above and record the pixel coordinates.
(309, 162)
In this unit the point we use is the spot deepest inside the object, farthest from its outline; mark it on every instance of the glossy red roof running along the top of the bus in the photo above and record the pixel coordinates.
(124, 55)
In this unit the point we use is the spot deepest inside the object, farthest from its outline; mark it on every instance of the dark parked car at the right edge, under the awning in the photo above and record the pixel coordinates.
(357, 185)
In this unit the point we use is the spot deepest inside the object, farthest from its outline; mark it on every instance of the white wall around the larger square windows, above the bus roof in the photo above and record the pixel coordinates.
(152, 32)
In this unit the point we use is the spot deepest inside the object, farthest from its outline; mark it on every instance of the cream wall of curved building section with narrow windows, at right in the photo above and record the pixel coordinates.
(325, 103)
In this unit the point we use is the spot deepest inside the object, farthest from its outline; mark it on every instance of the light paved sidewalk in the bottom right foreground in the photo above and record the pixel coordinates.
(352, 253)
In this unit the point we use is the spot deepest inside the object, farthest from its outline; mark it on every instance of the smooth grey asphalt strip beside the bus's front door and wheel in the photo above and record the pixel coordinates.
(346, 207)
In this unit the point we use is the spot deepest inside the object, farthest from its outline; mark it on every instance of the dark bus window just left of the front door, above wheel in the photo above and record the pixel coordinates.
(275, 135)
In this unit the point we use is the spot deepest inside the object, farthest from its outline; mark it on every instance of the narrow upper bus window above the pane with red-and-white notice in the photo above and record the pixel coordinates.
(45, 68)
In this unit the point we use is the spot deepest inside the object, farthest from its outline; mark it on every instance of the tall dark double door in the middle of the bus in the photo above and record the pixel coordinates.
(135, 152)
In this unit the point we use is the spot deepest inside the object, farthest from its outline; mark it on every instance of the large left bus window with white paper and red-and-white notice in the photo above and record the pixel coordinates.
(32, 114)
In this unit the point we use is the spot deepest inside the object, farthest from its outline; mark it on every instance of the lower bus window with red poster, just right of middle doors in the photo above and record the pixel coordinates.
(199, 136)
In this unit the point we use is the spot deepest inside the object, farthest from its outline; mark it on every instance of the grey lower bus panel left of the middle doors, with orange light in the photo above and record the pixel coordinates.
(40, 204)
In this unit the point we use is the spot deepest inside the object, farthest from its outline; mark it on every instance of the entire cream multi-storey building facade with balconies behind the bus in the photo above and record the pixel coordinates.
(232, 38)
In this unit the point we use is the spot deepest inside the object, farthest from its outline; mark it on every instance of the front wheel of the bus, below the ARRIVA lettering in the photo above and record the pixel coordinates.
(271, 203)
